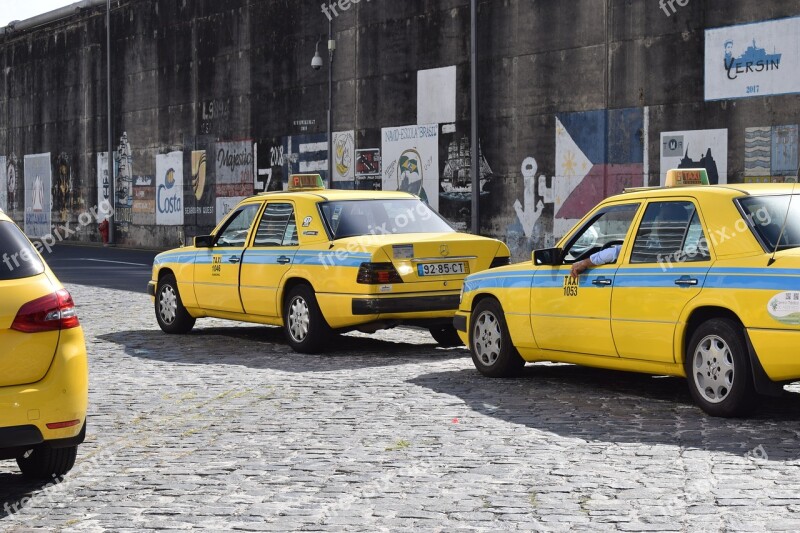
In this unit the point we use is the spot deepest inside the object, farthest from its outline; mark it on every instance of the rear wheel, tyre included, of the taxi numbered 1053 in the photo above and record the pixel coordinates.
(718, 369)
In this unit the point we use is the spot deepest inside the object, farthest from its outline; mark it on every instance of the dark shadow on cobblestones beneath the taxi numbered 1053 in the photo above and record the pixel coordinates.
(618, 407)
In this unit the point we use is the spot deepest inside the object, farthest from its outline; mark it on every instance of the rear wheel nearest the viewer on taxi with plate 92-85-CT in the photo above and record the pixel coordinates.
(305, 327)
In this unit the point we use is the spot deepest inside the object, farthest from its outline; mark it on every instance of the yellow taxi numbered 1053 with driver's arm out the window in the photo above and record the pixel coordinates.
(687, 280)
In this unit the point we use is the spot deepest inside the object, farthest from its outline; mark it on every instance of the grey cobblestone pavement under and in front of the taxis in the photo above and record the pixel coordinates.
(227, 429)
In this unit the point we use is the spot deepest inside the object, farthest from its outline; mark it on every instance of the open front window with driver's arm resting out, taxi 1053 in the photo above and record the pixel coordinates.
(607, 228)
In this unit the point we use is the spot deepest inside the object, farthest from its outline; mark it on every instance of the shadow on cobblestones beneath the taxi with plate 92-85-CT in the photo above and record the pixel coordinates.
(265, 347)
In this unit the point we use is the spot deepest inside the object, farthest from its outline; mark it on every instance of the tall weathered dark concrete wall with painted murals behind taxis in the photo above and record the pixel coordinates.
(217, 100)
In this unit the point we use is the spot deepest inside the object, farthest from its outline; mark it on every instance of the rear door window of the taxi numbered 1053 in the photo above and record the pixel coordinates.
(669, 231)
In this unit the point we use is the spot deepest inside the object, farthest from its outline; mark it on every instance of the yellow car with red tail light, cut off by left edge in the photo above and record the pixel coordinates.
(43, 364)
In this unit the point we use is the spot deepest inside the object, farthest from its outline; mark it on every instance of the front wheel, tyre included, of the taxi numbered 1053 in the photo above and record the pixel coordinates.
(490, 344)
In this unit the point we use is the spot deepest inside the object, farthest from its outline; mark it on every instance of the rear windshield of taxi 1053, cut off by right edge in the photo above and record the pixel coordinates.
(775, 219)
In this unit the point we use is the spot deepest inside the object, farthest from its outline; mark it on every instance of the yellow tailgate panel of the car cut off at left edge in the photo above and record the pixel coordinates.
(25, 357)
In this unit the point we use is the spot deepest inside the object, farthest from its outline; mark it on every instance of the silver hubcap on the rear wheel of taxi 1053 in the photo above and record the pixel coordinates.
(713, 369)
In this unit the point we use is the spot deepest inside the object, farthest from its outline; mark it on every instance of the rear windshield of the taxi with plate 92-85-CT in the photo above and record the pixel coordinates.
(349, 218)
